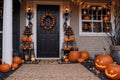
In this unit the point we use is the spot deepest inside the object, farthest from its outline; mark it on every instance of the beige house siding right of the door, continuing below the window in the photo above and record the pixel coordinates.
(93, 44)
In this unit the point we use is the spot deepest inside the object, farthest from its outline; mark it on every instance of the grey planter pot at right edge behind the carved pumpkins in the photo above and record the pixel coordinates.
(115, 53)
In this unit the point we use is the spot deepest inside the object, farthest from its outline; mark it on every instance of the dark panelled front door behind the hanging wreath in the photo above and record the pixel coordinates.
(48, 40)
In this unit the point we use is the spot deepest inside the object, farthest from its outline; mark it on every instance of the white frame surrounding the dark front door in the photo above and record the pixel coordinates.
(34, 29)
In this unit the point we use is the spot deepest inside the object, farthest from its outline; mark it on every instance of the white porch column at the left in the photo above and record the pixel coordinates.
(7, 32)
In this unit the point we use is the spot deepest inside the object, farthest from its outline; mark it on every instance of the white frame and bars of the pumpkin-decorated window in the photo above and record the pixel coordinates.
(94, 33)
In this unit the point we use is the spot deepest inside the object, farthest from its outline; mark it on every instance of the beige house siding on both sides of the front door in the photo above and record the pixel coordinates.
(93, 44)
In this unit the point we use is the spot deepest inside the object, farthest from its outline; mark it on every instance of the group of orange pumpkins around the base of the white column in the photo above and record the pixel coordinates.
(16, 62)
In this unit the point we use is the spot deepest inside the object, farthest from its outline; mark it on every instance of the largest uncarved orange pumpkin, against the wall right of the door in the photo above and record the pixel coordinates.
(73, 56)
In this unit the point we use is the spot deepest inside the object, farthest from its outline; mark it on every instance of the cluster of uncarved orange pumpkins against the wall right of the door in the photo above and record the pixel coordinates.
(76, 56)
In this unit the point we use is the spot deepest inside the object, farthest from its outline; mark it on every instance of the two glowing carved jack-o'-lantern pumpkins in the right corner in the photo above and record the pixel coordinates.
(105, 63)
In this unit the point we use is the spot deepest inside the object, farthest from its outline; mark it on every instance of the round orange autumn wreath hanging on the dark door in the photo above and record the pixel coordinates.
(47, 25)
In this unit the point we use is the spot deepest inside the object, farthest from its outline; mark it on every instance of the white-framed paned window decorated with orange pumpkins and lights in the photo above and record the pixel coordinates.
(95, 20)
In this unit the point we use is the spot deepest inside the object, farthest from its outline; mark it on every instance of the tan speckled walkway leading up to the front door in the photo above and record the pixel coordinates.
(52, 72)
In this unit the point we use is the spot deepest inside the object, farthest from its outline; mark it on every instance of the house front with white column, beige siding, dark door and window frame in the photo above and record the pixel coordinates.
(93, 41)
